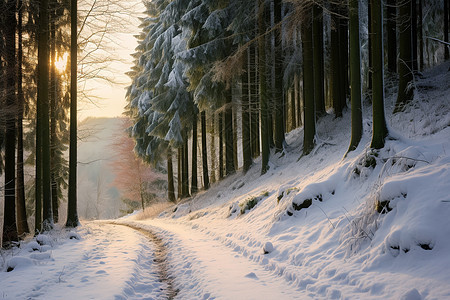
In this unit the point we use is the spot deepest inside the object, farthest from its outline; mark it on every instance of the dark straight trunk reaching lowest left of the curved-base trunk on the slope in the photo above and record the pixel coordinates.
(308, 83)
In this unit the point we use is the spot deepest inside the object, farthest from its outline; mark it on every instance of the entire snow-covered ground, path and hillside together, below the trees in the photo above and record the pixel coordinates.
(308, 229)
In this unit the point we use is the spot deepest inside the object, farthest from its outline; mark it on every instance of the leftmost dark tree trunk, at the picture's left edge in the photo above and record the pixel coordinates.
(9, 221)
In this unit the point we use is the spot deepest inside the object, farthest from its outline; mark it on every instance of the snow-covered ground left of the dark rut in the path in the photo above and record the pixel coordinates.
(107, 262)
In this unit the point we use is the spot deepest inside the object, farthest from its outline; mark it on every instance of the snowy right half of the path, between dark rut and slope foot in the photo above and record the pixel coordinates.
(204, 268)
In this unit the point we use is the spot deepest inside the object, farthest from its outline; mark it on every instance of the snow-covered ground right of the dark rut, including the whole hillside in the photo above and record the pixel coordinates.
(339, 247)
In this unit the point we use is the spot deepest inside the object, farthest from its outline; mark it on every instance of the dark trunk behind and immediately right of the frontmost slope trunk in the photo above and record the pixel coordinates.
(391, 11)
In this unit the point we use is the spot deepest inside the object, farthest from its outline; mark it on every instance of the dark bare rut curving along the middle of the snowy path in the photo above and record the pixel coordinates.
(160, 260)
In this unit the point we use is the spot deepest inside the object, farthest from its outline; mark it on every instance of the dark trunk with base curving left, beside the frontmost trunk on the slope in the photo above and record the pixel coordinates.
(355, 75)
